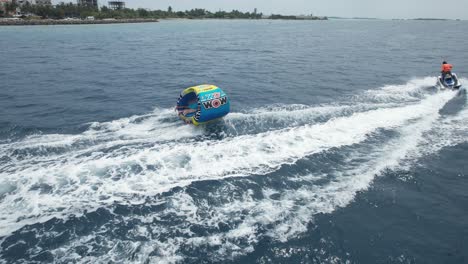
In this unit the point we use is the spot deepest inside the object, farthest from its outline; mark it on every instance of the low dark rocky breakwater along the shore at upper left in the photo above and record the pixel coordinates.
(45, 22)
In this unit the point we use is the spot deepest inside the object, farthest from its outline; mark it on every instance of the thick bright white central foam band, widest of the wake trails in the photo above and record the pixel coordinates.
(57, 186)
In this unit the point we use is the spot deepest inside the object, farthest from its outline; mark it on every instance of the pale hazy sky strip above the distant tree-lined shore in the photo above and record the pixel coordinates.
(347, 8)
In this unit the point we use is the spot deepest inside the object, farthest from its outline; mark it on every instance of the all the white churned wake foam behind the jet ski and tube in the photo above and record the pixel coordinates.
(125, 161)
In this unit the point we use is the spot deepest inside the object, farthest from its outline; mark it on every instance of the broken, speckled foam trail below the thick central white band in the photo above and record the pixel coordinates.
(278, 214)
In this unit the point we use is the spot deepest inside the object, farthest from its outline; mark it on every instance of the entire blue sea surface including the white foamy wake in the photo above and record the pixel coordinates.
(338, 147)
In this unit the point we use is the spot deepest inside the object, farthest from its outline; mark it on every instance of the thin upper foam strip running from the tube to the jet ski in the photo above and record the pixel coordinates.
(281, 116)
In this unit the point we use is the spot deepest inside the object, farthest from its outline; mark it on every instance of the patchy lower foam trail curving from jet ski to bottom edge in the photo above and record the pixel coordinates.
(289, 215)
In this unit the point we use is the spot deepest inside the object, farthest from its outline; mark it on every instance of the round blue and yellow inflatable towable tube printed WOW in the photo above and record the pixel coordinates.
(202, 103)
